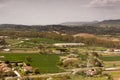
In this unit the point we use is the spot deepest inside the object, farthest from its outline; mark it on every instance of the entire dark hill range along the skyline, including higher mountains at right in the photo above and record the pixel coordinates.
(103, 27)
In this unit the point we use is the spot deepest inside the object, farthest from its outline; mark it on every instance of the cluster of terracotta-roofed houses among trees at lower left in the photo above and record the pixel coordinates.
(14, 69)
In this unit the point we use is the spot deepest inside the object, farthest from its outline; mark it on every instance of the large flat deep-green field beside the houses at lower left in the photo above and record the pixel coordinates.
(46, 63)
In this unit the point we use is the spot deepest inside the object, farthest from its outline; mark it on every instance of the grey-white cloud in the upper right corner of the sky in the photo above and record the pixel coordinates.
(104, 3)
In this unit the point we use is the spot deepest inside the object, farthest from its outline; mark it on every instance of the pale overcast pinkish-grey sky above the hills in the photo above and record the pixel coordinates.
(44, 12)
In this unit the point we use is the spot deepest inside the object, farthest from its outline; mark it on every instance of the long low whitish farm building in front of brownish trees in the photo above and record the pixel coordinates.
(68, 44)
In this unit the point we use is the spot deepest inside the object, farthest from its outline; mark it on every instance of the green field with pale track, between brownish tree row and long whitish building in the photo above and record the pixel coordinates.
(29, 42)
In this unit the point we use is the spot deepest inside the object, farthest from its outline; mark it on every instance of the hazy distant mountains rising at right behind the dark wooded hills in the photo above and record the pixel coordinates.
(105, 23)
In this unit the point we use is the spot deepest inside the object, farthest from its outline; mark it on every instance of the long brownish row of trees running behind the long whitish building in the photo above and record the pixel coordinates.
(62, 37)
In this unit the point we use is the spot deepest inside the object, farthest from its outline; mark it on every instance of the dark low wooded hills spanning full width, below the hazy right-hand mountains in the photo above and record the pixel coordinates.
(63, 29)
